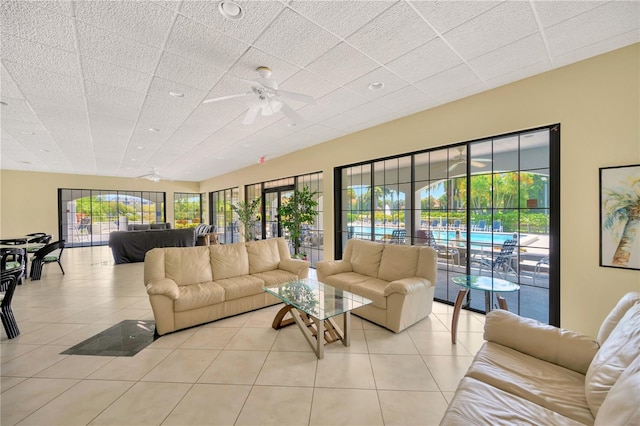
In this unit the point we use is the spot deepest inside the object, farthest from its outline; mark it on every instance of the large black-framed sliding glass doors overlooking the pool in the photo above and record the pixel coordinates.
(466, 201)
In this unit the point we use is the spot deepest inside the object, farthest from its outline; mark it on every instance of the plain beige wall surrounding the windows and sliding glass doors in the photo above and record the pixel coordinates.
(596, 102)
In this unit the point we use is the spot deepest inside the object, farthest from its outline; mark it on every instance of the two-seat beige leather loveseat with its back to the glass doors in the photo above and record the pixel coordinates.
(399, 279)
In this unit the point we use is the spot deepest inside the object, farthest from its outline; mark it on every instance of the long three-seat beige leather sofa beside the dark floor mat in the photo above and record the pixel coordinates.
(194, 285)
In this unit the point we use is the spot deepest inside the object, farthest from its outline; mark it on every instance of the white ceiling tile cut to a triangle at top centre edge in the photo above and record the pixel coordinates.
(342, 18)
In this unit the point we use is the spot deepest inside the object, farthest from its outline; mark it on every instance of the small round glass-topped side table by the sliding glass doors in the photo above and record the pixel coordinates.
(489, 285)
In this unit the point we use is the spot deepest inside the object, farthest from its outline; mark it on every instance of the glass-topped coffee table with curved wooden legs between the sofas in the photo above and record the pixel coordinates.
(313, 305)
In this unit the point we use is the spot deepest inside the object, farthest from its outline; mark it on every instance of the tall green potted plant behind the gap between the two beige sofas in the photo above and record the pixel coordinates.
(298, 210)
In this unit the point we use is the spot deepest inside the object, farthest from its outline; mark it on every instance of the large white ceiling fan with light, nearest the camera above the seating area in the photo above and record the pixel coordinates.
(265, 98)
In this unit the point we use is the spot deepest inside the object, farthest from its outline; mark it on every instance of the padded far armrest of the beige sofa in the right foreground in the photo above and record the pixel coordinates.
(566, 348)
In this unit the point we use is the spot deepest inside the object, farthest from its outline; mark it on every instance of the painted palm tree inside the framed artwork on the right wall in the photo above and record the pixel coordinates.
(622, 207)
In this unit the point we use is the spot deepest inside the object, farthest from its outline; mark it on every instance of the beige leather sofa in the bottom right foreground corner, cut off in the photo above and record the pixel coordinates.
(531, 373)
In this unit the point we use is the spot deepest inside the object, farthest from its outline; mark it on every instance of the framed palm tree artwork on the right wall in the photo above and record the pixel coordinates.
(620, 217)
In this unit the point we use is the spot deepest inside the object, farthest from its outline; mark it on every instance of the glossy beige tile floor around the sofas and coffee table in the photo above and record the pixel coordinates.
(234, 371)
